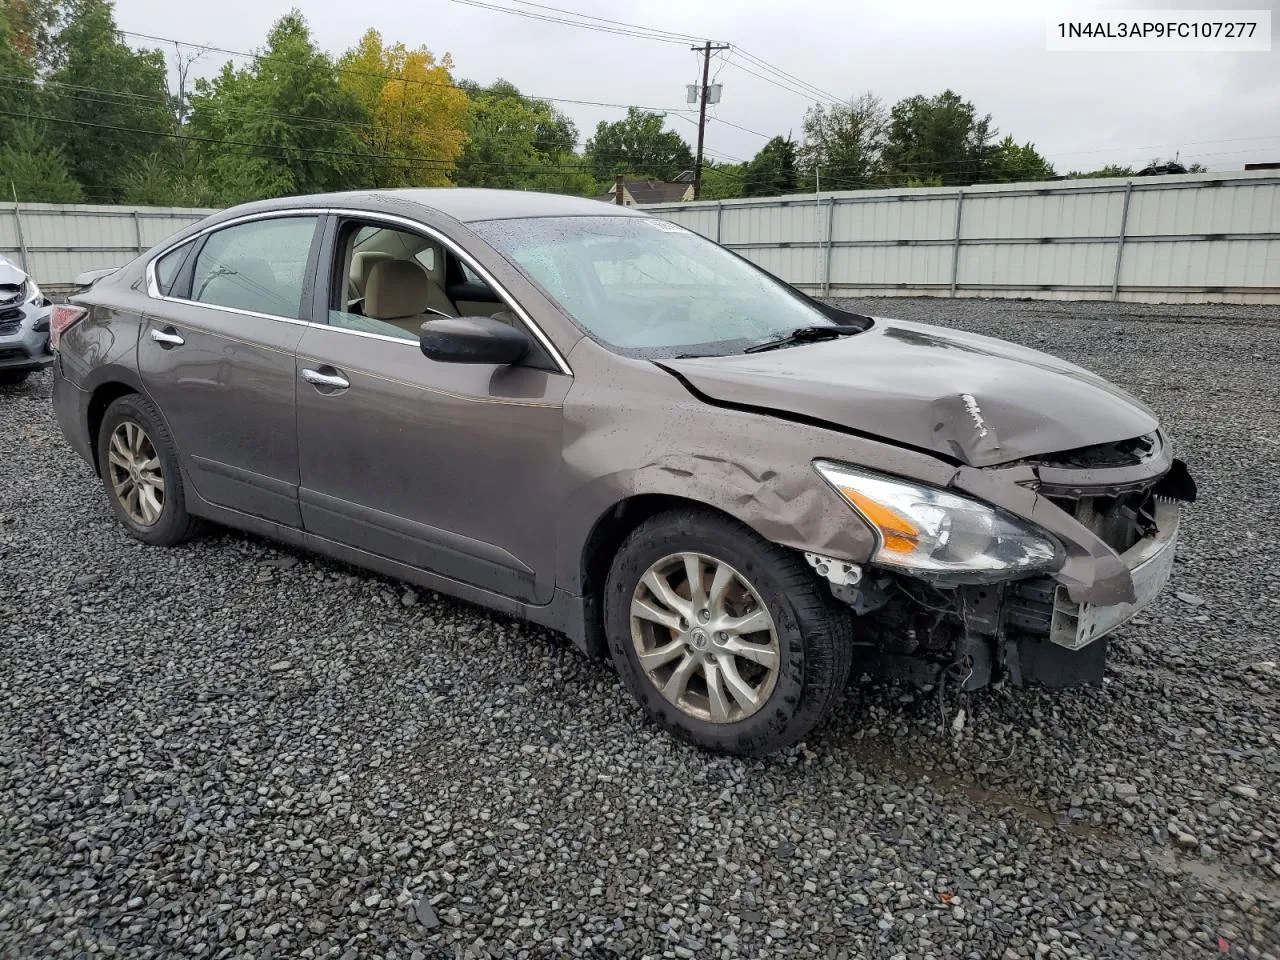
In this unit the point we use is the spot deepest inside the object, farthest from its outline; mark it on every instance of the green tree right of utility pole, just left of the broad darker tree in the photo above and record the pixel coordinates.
(843, 144)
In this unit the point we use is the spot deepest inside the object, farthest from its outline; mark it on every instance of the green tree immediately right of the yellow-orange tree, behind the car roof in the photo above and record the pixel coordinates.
(519, 143)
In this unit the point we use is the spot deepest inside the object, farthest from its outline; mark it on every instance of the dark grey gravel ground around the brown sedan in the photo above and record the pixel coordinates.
(232, 751)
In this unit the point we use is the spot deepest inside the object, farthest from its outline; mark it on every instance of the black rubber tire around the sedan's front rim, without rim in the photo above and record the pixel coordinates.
(815, 633)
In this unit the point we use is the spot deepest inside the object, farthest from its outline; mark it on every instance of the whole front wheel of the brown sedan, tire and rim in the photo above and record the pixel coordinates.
(728, 641)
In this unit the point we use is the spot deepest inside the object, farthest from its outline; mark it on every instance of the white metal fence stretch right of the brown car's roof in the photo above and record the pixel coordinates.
(1191, 239)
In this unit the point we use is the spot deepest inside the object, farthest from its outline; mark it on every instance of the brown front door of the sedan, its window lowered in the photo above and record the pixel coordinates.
(449, 468)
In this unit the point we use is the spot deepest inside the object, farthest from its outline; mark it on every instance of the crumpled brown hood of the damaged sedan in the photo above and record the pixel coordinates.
(973, 399)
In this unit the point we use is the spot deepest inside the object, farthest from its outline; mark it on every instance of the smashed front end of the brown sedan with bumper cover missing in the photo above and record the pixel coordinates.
(1110, 511)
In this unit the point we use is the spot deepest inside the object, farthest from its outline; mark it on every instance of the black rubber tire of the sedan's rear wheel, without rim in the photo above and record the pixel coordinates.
(175, 524)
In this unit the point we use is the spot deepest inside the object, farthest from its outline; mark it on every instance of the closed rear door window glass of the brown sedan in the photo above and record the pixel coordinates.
(255, 267)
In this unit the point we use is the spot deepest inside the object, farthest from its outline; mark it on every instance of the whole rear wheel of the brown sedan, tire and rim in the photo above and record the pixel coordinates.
(140, 473)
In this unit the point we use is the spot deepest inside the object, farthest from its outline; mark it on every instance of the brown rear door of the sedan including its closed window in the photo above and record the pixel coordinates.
(217, 355)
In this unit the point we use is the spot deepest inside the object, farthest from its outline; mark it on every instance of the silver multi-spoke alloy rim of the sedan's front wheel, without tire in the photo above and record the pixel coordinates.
(705, 638)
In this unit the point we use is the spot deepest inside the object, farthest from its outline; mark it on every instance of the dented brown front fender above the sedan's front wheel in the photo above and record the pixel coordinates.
(755, 469)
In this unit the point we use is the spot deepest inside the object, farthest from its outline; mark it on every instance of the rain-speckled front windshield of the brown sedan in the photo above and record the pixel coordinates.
(650, 289)
